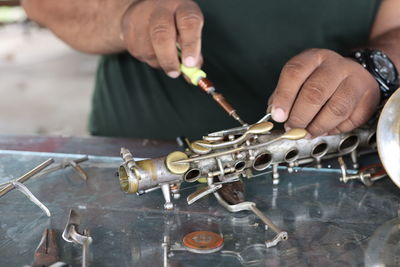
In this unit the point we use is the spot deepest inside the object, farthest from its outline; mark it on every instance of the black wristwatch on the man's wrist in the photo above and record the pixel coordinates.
(381, 67)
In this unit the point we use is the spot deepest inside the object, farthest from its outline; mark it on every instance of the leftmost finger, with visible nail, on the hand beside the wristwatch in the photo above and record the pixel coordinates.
(292, 77)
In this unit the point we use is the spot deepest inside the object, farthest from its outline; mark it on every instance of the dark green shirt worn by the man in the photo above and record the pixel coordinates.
(244, 45)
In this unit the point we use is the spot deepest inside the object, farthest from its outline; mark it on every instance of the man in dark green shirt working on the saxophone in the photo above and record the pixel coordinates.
(244, 45)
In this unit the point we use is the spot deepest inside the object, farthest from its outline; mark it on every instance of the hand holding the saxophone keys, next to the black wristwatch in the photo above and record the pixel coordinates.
(325, 93)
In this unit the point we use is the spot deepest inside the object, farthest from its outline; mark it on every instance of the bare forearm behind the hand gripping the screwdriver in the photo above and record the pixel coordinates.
(91, 26)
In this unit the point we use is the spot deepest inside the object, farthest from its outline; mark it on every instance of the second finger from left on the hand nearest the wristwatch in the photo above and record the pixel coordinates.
(314, 93)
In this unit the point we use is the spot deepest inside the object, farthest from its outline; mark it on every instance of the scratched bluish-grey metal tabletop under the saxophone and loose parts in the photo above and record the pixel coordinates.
(328, 223)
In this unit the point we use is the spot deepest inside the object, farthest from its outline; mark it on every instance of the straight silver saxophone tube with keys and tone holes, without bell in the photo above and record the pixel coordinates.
(228, 155)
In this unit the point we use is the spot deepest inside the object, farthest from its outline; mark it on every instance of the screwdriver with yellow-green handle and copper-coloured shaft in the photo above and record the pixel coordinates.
(199, 78)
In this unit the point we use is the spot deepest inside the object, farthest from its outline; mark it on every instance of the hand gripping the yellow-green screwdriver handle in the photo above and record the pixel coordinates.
(151, 29)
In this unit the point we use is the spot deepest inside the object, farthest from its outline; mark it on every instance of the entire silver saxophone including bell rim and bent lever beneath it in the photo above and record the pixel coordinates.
(223, 158)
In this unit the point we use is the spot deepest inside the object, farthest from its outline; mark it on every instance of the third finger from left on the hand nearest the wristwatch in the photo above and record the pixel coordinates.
(339, 107)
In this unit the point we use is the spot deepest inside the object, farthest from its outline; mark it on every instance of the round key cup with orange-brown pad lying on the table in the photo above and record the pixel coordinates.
(203, 242)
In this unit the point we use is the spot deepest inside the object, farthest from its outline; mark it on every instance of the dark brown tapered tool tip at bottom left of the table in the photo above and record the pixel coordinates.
(47, 252)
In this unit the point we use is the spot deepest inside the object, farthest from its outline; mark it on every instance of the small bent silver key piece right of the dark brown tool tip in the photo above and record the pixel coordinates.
(71, 234)
